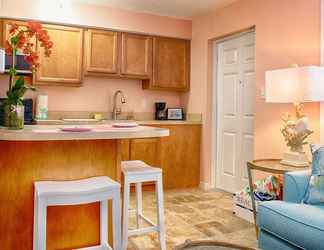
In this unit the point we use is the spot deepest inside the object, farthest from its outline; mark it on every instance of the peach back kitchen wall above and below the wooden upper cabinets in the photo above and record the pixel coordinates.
(96, 93)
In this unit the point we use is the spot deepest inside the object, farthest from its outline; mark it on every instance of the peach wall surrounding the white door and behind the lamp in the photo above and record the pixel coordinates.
(287, 32)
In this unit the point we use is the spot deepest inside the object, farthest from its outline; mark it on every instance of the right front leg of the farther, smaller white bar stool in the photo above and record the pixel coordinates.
(160, 209)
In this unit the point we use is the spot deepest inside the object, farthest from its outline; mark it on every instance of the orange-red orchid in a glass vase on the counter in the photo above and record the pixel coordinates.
(20, 39)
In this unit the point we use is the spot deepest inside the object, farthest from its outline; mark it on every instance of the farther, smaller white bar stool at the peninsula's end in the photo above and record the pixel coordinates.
(138, 172)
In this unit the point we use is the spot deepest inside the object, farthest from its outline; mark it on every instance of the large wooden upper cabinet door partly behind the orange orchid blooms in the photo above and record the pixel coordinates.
(64, 66)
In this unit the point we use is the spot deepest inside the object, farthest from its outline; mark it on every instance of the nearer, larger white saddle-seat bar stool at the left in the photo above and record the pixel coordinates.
(56, 193)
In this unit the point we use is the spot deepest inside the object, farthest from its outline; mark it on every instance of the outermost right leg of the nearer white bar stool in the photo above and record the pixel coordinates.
(116, 222)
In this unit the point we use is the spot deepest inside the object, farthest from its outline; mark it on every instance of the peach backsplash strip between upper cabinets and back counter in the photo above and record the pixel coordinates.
(96, 94)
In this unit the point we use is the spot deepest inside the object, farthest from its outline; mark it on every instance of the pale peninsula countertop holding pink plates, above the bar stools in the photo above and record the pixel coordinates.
(102, 131)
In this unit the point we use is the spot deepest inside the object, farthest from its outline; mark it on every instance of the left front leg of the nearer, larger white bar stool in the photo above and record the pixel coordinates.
(41, 224)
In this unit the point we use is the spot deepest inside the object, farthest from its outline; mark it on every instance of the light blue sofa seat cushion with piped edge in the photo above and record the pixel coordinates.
(301, 225)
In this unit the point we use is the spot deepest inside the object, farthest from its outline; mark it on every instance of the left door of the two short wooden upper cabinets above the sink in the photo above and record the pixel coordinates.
(101, 52)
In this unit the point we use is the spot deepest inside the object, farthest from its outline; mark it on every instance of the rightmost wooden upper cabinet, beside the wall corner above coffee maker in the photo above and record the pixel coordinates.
(171, 65)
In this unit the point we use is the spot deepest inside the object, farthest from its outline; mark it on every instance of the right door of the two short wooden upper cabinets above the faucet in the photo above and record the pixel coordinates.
(136, 56)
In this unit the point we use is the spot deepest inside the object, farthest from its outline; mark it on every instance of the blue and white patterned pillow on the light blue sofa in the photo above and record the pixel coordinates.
(315, 190)
